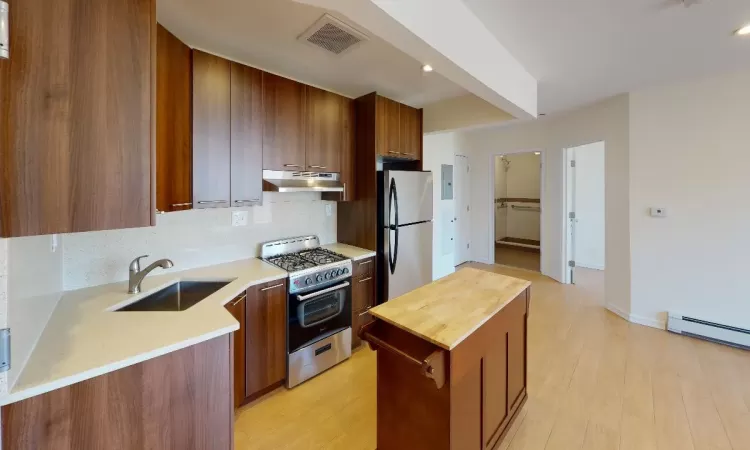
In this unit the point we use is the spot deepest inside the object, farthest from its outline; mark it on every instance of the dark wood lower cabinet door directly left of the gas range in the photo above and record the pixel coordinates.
(266, 336)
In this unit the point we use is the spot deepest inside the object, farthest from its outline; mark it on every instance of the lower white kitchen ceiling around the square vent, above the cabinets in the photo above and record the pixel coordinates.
(263, 34)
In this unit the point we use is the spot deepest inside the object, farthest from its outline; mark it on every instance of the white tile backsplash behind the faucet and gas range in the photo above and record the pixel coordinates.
(194, 238)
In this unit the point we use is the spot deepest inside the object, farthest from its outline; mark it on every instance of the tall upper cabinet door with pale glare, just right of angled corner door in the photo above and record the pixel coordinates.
(211, 131)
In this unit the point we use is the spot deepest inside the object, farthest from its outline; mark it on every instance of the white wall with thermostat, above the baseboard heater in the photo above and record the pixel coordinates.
(690, 152)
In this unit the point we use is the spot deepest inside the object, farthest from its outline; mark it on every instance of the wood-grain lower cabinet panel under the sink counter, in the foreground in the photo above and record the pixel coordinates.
(180, 400)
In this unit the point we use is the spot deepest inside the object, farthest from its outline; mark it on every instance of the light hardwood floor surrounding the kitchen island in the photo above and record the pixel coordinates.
(595, 382)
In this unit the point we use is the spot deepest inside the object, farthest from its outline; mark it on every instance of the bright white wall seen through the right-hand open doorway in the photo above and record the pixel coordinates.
(589, 205)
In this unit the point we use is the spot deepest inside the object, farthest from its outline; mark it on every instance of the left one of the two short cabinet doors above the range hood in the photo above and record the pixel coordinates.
(284, 124)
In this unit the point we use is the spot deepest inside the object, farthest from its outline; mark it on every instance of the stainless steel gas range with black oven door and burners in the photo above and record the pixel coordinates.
(319, 307)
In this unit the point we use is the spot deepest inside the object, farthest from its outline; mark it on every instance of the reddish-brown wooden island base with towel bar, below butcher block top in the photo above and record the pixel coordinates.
(469, 402)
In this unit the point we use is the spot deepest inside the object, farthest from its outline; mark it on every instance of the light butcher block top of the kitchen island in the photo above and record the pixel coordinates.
(450, 309)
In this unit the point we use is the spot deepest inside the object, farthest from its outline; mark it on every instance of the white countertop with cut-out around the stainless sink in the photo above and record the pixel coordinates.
(83, 339)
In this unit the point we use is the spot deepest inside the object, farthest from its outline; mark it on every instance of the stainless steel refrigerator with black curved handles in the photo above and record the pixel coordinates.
(405, 241)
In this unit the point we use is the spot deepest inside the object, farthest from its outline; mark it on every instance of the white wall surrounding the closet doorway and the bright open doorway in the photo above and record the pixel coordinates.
(604, 121)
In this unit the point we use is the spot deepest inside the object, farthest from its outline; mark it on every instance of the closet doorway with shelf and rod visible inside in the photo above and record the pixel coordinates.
(518, 210)
